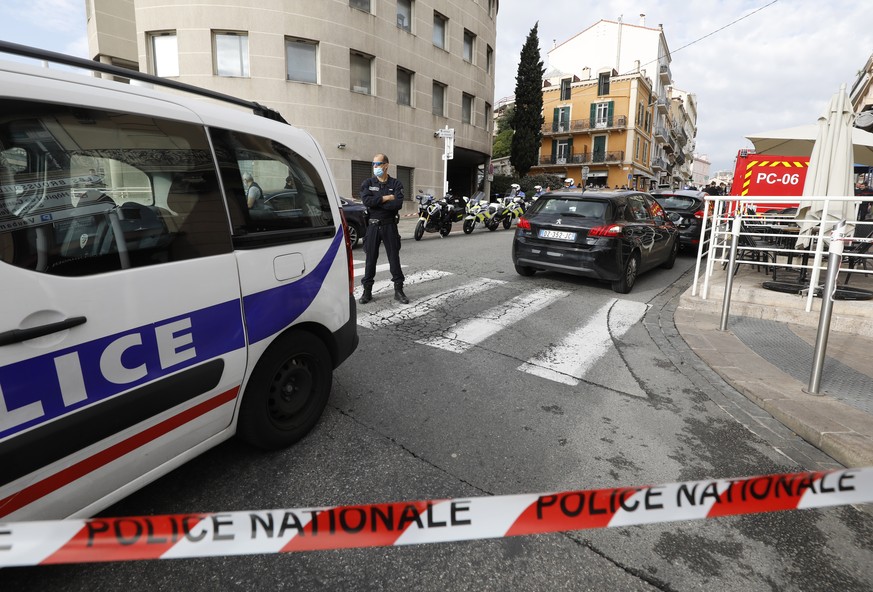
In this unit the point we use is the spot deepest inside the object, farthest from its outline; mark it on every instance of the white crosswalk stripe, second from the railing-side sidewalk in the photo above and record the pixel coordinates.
(462, 336)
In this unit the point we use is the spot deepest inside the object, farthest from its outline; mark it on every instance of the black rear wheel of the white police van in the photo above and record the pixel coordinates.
(287, 392)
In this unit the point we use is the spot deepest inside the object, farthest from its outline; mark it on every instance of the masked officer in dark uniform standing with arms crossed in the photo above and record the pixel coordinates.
(383, 196)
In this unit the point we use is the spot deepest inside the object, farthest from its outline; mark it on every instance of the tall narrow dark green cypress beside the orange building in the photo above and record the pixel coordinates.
(527, 120)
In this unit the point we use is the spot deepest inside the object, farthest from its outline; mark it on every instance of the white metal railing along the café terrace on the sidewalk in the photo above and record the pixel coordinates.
(774, 237)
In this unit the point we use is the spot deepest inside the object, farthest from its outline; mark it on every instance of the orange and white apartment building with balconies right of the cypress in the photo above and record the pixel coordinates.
(611, 84)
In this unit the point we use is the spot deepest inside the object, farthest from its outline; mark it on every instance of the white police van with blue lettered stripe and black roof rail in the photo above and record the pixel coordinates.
(148, 311)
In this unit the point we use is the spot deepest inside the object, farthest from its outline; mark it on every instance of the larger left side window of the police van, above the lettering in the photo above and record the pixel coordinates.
(70, 207)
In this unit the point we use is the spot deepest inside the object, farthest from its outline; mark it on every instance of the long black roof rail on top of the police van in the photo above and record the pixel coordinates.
(60, 58)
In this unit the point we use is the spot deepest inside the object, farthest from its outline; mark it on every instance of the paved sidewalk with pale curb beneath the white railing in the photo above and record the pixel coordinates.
(767, 355)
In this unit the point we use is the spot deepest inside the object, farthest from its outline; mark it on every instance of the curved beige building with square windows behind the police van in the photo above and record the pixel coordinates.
(363, 76)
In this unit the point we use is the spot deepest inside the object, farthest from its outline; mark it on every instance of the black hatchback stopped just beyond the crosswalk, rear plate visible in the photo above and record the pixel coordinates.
(610, 236)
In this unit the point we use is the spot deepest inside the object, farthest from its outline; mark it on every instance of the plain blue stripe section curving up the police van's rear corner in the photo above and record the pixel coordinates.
(271, 311)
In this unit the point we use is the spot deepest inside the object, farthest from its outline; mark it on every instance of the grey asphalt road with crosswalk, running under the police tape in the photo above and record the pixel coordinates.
(416, 415)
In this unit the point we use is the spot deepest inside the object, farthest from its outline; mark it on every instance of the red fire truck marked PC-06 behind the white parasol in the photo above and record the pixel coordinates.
(769, 175)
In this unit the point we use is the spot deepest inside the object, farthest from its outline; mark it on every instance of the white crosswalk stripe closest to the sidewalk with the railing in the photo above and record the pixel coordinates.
(568, 361)
